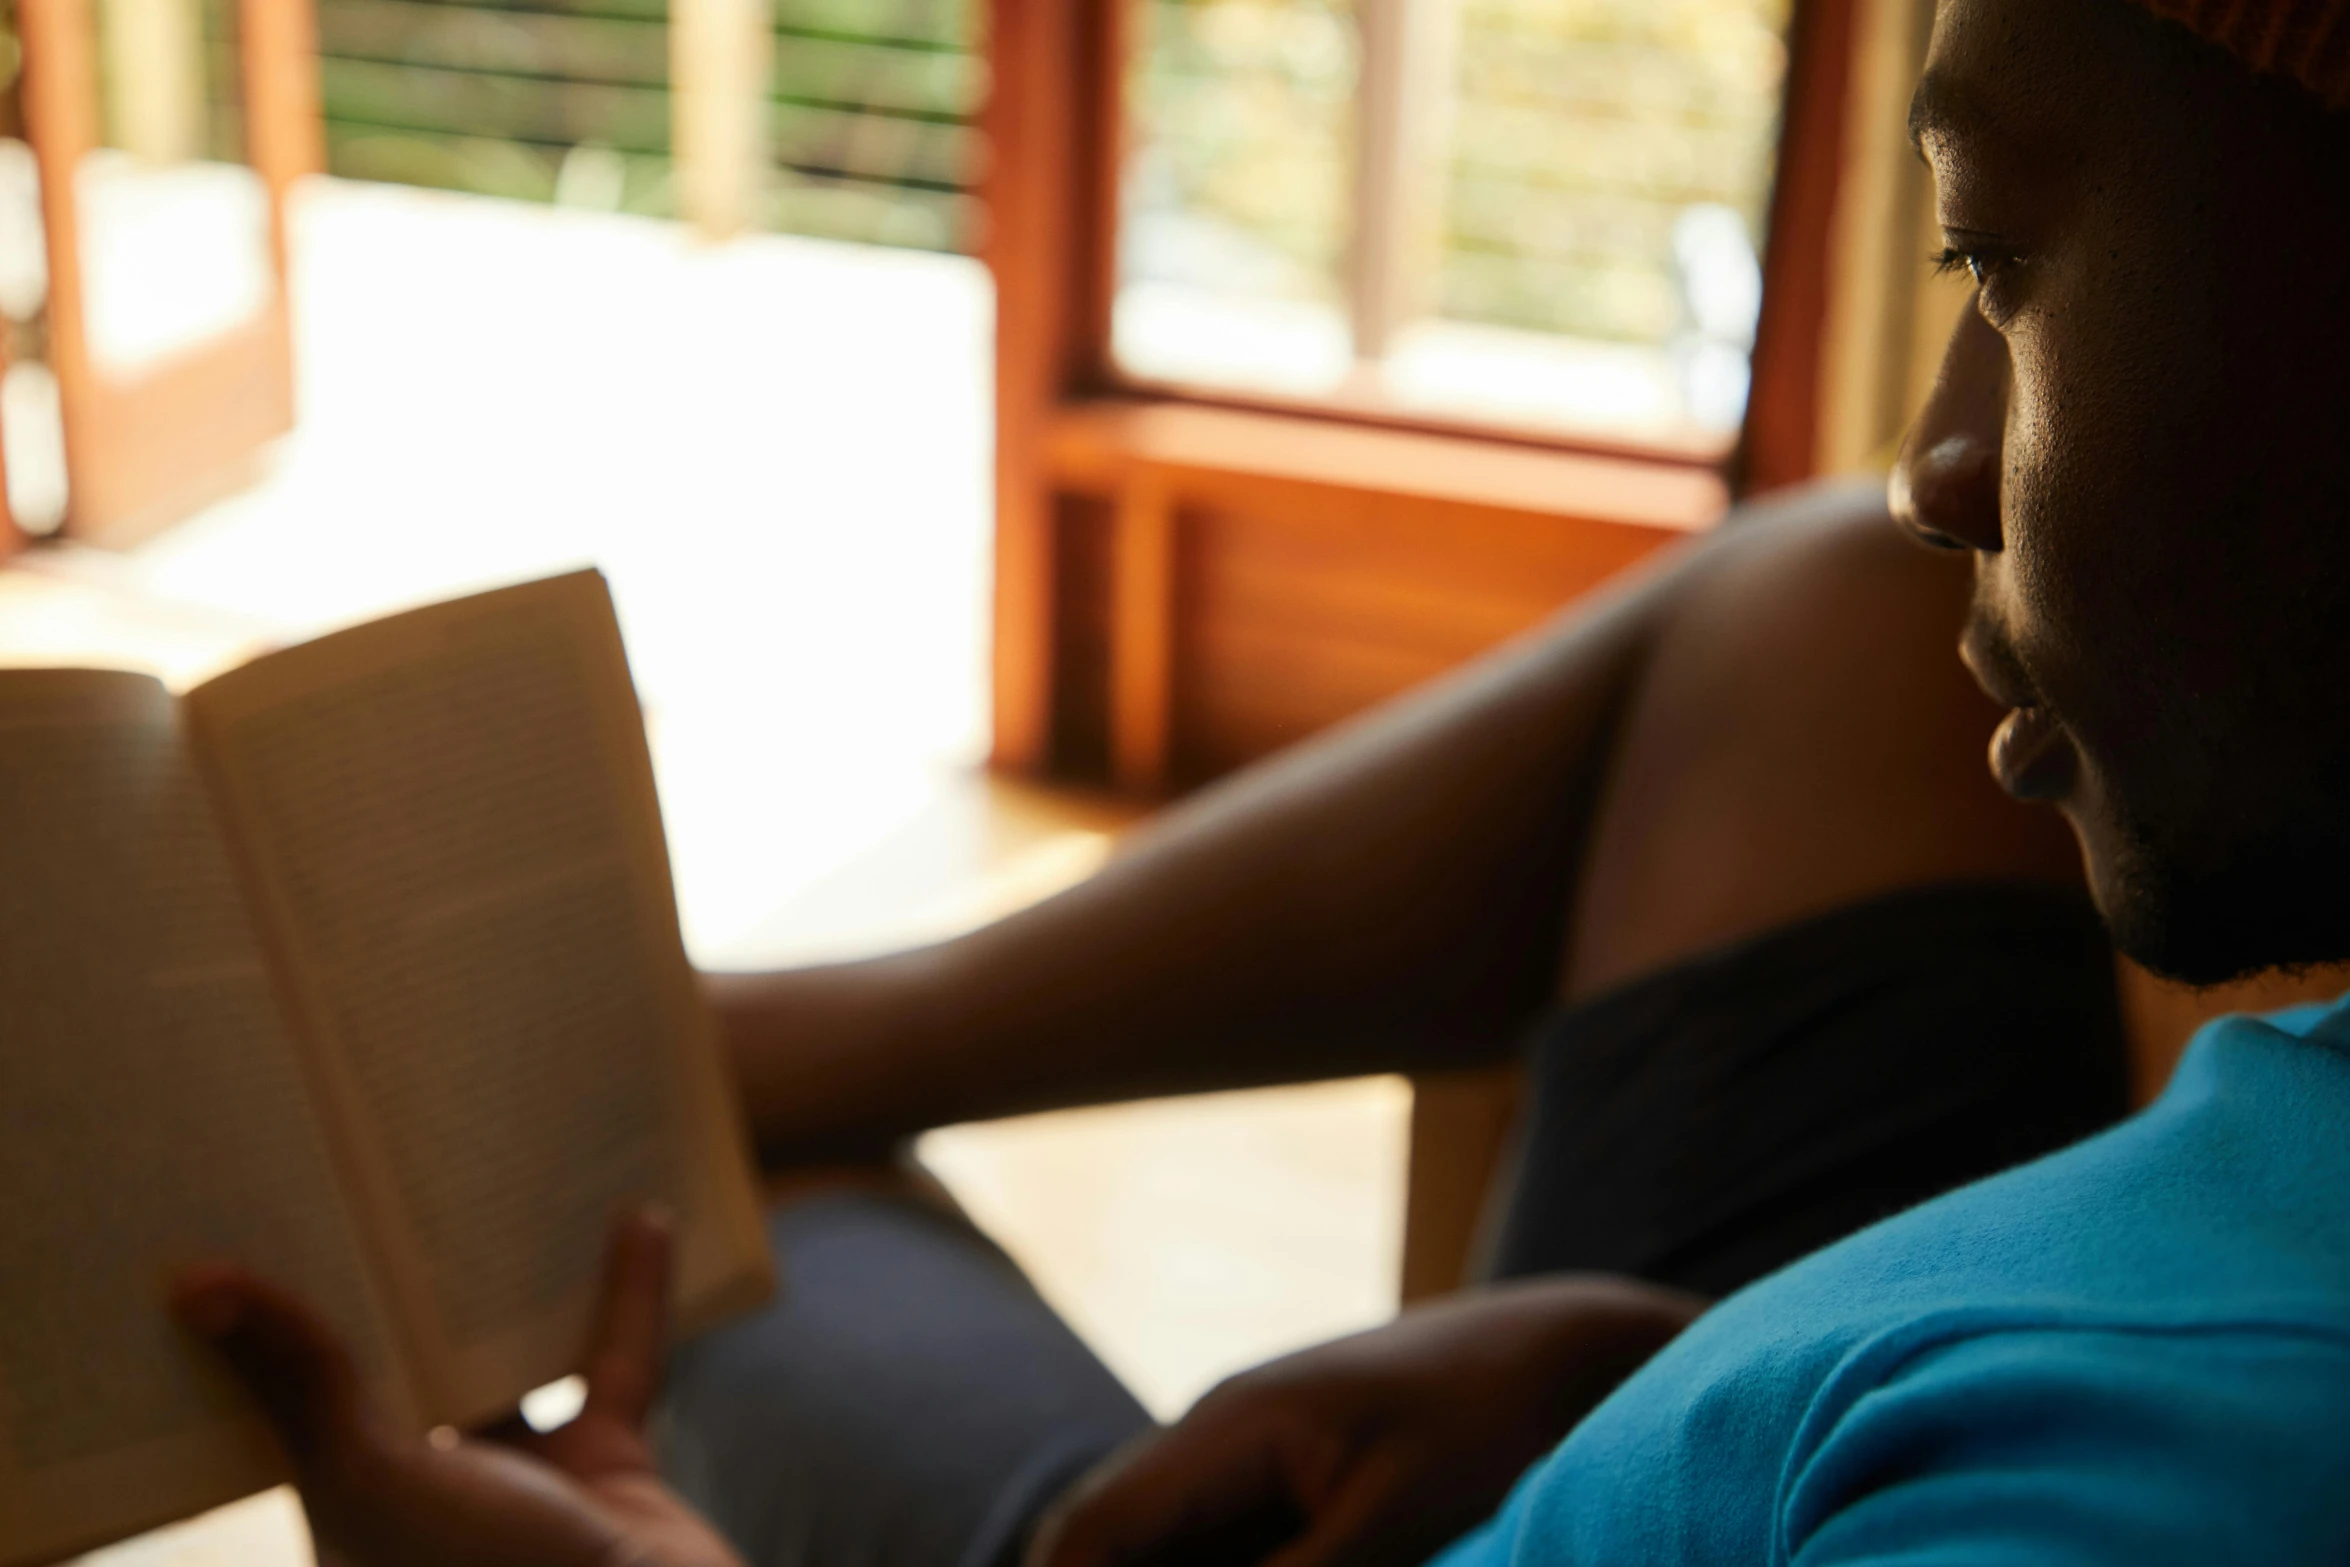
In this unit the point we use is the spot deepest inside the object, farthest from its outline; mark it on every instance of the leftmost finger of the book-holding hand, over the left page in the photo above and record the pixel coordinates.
(293, 1364)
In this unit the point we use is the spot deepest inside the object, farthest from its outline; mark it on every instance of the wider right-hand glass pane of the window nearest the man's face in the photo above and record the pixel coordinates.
(1604, 213)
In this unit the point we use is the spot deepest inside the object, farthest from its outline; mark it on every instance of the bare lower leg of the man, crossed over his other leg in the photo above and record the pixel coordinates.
(1385, 899)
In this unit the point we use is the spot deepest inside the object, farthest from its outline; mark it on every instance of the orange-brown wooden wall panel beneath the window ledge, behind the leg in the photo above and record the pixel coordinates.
(1305, 607)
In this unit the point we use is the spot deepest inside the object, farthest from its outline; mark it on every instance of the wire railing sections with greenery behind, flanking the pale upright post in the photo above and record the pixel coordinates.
(871, 107)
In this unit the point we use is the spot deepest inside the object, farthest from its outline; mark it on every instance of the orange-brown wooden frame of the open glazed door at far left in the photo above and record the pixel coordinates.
(145, 452)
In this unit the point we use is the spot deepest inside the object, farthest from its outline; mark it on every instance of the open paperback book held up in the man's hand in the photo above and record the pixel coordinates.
(358, 967)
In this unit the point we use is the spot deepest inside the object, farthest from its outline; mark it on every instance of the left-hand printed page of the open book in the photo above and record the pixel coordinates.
(152, 1115)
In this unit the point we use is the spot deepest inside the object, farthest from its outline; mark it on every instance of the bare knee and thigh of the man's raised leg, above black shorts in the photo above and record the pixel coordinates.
(1804, 737)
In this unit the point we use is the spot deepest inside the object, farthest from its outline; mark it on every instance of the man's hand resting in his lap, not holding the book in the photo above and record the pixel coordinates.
(1374, 1451)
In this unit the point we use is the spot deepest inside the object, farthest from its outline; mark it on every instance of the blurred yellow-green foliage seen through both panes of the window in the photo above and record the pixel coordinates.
(1580, 130)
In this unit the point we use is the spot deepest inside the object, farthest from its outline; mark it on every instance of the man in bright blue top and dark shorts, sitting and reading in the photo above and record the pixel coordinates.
(1738, 805)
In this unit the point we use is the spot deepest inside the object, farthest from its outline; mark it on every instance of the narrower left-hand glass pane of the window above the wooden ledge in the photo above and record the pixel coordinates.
(1237, 194)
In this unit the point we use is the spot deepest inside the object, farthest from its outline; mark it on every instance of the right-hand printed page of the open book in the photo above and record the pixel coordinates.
(450, 826)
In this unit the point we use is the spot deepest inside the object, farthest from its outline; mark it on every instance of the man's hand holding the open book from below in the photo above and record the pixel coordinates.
(577, 1498)
